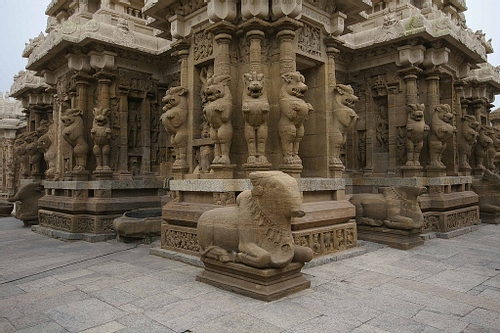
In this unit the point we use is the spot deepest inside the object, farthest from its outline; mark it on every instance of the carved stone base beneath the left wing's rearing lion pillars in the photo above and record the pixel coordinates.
(89, 207)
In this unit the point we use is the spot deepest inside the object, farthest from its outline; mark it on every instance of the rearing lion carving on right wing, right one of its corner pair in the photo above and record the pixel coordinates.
(441, 130)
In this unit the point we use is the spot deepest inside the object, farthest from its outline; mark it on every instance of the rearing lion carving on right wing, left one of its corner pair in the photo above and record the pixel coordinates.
(416, 129)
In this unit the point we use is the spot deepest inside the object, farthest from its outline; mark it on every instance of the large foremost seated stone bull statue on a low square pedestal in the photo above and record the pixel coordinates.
(257, 231)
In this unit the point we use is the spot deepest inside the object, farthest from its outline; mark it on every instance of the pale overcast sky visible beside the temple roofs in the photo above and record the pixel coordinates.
(21, 20)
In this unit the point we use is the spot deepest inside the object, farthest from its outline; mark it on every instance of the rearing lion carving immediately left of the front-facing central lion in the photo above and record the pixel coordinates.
(217, 112)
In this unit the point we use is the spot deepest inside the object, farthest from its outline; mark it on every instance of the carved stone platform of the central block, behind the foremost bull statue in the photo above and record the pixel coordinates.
(326, 228)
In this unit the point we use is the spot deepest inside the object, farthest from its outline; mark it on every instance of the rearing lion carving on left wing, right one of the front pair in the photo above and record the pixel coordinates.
(101, 133)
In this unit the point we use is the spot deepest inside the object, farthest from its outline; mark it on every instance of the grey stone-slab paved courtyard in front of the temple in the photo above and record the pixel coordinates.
(47, 285)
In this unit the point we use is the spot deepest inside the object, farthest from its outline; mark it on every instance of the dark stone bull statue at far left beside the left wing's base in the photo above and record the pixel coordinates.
(28, 195)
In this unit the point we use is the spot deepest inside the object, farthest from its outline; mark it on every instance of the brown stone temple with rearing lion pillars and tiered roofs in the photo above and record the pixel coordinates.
(379, 109)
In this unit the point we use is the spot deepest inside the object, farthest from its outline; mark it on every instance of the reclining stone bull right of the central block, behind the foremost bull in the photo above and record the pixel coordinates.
(392, 207)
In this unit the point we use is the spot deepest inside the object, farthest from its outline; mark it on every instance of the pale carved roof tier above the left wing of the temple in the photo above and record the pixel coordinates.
(119, 23)
